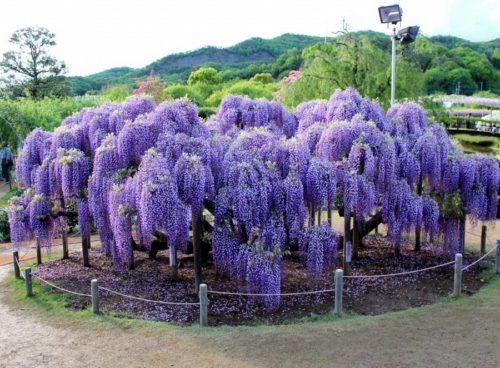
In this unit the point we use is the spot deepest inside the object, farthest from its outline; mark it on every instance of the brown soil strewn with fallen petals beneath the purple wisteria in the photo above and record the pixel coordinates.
(151, 280)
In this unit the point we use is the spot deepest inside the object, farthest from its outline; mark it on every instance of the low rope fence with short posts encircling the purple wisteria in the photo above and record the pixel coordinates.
(203, 289)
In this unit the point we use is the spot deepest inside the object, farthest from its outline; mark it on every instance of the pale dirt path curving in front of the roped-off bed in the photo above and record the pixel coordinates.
(462, 334)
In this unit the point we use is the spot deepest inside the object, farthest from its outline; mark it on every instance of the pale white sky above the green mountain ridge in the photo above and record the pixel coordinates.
(94, 35)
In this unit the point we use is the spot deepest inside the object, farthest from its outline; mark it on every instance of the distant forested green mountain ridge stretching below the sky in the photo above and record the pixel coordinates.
(278, 56)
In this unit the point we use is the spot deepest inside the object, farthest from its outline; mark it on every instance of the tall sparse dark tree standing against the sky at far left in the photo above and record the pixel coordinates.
(29, 64)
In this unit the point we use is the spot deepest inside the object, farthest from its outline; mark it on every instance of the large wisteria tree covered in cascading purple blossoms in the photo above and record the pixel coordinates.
(251, 185)
